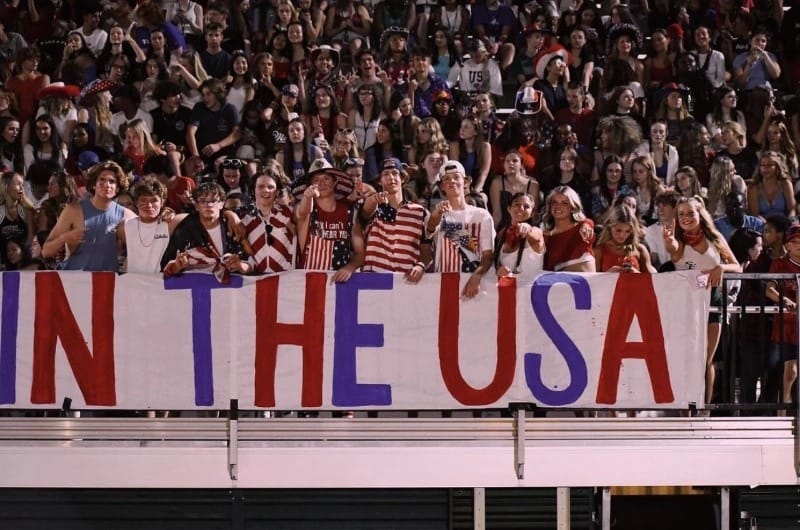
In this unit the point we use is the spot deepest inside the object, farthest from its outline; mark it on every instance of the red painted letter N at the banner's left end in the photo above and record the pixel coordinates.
(54, 319)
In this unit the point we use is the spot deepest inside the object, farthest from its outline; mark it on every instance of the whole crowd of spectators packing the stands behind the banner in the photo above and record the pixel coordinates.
(491, 137)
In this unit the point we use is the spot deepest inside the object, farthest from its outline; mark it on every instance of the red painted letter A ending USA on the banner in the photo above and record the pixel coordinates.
(634, 296)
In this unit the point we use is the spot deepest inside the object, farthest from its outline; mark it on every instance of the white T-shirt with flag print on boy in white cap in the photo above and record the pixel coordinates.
(460, 239)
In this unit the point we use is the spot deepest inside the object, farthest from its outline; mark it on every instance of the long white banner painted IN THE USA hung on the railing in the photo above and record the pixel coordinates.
(296, 341)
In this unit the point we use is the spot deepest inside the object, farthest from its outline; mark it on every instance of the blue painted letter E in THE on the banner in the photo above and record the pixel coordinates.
(349, 335)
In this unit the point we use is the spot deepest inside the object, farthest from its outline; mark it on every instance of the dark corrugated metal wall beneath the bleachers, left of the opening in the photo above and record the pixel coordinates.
(324, 509)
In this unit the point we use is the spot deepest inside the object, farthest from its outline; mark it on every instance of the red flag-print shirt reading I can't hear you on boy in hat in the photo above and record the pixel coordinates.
(328, 246)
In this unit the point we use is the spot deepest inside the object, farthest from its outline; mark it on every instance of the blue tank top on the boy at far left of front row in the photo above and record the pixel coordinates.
(98, 252)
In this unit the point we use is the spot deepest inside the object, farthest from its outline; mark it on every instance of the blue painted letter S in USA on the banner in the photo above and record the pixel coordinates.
(575, 361)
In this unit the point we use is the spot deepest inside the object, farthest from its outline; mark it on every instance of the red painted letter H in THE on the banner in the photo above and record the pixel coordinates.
(270, 333)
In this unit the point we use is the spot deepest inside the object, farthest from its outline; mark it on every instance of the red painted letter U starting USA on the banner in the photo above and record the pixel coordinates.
(448, 343)
